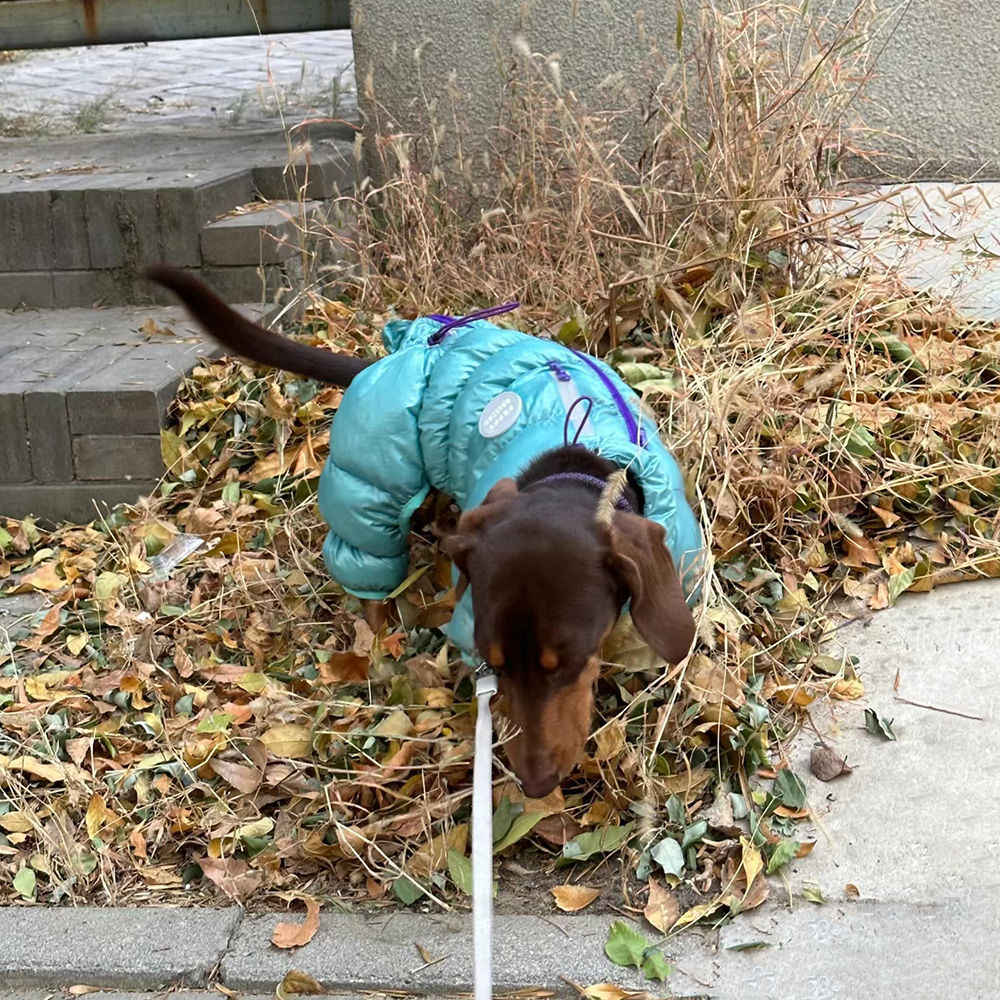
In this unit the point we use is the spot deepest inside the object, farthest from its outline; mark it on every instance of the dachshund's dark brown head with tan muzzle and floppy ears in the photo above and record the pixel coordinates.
(548, 583)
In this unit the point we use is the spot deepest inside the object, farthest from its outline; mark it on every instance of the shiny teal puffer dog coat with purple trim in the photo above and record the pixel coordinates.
(428, 416)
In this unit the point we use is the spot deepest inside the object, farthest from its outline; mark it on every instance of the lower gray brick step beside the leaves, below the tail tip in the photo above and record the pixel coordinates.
(83, 395)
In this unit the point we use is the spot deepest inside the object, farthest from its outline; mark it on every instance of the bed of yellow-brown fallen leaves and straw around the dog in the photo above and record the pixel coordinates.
(200, 708)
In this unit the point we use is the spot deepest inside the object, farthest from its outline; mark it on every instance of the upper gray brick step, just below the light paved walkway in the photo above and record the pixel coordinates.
(82, 229)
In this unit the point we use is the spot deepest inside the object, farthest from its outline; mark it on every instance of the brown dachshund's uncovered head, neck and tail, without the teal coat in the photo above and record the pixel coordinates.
(548, 579)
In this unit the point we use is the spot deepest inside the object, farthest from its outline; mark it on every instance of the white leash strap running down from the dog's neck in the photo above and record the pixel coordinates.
(482, 836)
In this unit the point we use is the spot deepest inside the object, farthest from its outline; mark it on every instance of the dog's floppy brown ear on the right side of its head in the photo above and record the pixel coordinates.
(642, 562)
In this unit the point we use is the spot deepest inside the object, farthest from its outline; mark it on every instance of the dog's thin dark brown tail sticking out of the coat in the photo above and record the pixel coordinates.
(250, 341)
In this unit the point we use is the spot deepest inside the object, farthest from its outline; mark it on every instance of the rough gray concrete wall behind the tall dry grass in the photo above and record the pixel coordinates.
(935, 95)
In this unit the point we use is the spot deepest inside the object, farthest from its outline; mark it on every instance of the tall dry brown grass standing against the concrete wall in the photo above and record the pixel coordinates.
(589, 213)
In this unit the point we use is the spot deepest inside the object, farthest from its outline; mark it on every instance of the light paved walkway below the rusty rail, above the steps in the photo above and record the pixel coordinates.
(223, 81)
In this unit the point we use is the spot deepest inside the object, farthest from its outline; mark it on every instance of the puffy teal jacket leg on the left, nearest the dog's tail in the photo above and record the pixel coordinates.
(373, 480)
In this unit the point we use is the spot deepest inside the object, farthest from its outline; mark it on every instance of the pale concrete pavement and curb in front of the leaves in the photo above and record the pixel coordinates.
(914, 830)
